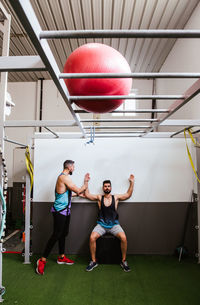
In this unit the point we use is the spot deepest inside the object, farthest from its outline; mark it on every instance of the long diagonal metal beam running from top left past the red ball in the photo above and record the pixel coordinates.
(28, 19)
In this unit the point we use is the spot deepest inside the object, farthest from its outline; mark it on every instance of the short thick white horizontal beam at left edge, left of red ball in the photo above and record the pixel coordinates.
(21, 63)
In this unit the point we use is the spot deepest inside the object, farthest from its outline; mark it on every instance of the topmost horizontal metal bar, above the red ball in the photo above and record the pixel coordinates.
(120, 34)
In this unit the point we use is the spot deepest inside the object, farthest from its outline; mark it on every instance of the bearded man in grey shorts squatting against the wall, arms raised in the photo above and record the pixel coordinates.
(108, 220)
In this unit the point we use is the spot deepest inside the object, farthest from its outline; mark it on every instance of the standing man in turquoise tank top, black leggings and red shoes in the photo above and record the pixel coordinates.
(61, 211)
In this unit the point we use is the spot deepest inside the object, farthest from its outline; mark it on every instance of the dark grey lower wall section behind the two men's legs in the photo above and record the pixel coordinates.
(151, 228)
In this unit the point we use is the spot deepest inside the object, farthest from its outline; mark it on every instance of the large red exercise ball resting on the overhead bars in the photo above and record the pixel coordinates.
(97, 58)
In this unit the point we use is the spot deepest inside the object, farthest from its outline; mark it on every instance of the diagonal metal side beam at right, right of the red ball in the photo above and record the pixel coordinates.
(189, 94)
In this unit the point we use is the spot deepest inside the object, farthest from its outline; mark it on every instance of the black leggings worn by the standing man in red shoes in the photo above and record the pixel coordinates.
(60, 231)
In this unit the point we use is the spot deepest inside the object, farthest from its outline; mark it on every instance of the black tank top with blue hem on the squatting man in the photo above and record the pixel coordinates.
(108, 216)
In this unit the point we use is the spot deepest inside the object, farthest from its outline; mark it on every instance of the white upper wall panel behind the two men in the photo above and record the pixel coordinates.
(161, 167)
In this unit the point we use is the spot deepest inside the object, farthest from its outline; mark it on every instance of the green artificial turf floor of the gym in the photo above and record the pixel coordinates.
(153, 280)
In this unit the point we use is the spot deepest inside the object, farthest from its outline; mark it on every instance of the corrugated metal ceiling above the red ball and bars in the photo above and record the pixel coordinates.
(143, 55)
